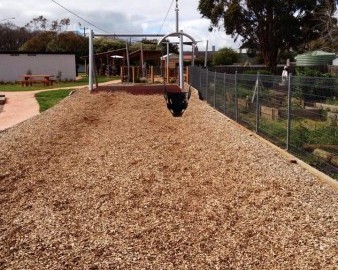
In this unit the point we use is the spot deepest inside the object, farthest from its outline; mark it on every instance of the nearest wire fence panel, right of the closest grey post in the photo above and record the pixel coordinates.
(314, 111)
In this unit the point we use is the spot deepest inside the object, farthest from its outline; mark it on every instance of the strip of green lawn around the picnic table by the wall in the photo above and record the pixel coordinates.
(82, 82)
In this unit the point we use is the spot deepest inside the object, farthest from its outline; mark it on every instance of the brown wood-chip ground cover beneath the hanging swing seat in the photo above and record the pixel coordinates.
(113, 181)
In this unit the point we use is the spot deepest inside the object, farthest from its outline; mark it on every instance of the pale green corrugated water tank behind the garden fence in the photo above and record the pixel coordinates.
(315, 58)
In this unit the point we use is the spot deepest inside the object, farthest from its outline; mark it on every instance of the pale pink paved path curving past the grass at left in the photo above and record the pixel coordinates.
(21, 106)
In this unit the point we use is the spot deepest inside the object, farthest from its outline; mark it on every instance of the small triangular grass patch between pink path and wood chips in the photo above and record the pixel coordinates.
(48, 99)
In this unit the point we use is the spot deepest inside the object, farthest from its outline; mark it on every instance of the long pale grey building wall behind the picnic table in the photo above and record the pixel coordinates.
(14, 65)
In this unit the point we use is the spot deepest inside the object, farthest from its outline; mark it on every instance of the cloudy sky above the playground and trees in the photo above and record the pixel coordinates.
(120, 17)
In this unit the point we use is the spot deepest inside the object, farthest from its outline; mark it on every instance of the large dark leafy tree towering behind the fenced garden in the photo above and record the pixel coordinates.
(270, 26)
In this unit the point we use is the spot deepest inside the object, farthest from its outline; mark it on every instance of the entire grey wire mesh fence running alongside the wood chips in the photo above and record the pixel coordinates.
(299, 114)
